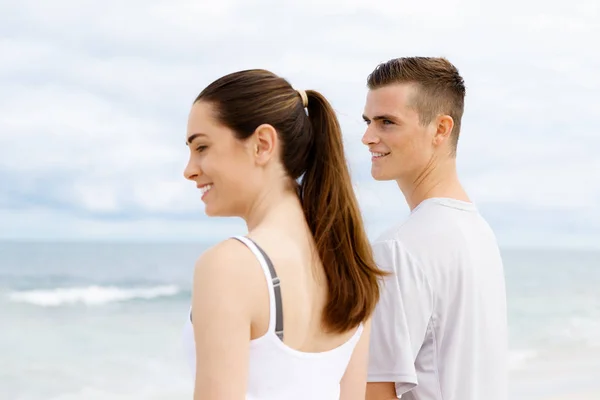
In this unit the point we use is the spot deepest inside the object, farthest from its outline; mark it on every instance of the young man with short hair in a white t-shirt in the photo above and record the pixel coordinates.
(440, 328)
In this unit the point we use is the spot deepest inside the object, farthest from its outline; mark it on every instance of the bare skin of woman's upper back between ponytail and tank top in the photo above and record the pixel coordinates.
(288, 243)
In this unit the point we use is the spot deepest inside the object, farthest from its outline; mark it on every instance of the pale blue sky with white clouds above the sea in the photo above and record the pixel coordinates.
(94, 98)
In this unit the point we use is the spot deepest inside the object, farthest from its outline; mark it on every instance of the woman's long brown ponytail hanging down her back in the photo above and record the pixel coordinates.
(333, 215)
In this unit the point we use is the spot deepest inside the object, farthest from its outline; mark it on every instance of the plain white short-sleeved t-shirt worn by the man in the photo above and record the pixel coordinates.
(439, 331)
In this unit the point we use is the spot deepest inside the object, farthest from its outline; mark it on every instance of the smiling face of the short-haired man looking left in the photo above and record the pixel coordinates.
(400, 145)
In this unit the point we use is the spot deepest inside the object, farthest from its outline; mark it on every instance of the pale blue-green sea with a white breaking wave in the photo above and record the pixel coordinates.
(99, 321)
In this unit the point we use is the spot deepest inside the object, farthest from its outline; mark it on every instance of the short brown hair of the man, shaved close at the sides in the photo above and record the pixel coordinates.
(440, 88)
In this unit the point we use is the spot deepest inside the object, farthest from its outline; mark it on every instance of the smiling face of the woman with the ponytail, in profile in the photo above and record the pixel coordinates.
(222, 166)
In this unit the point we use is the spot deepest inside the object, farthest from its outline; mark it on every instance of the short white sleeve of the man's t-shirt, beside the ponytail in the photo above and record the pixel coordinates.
(401, 318)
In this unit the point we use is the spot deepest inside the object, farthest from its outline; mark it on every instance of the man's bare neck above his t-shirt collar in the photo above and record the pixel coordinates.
(436, 180)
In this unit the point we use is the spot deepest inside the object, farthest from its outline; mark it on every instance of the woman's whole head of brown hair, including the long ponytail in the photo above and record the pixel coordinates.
(312, 150)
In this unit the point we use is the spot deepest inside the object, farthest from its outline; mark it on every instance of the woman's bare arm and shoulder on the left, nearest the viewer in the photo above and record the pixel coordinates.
(221, 315)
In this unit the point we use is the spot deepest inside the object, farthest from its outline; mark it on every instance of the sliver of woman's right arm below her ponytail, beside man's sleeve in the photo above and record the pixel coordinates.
(354, 381)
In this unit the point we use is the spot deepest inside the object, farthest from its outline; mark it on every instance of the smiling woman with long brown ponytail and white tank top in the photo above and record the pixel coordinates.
(283, 312)
